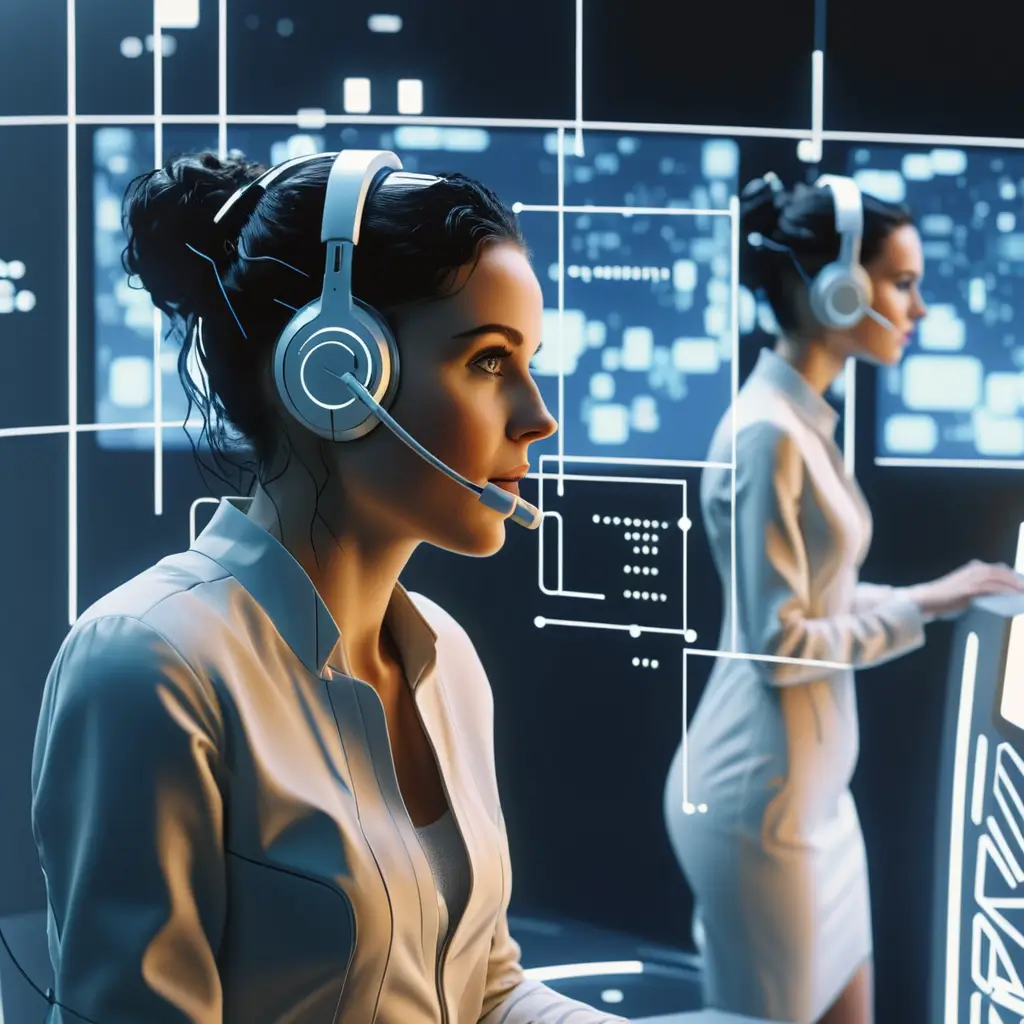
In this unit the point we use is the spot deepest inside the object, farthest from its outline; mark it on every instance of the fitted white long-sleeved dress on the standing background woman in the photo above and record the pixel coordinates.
(778, 864)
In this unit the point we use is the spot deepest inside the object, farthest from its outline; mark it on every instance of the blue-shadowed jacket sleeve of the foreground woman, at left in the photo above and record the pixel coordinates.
(127, 817)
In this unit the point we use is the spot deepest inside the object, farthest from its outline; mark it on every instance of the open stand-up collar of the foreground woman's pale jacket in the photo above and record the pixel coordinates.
(279, 584)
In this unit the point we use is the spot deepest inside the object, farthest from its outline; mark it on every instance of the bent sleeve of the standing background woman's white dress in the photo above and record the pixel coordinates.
(773, 572)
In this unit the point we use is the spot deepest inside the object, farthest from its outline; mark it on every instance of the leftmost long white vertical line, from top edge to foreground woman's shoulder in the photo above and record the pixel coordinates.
(72, 322)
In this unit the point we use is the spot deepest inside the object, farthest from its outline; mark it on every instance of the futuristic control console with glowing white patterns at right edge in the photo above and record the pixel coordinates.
(978, 954)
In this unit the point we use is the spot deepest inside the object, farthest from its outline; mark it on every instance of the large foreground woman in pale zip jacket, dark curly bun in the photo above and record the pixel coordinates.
(264, 780)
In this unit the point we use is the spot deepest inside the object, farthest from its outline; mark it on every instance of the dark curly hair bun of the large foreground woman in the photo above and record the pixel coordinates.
(172, 208)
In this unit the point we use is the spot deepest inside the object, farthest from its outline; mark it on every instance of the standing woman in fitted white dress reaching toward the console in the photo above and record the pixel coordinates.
(778, 863)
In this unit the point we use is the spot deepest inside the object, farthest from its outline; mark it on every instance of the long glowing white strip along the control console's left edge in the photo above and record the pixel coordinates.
(962, 752)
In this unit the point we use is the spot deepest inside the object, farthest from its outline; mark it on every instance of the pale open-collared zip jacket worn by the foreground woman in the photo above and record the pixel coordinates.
(220, 822)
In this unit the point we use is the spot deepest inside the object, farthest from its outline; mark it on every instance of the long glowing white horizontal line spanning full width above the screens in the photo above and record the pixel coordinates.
(882, 139)
